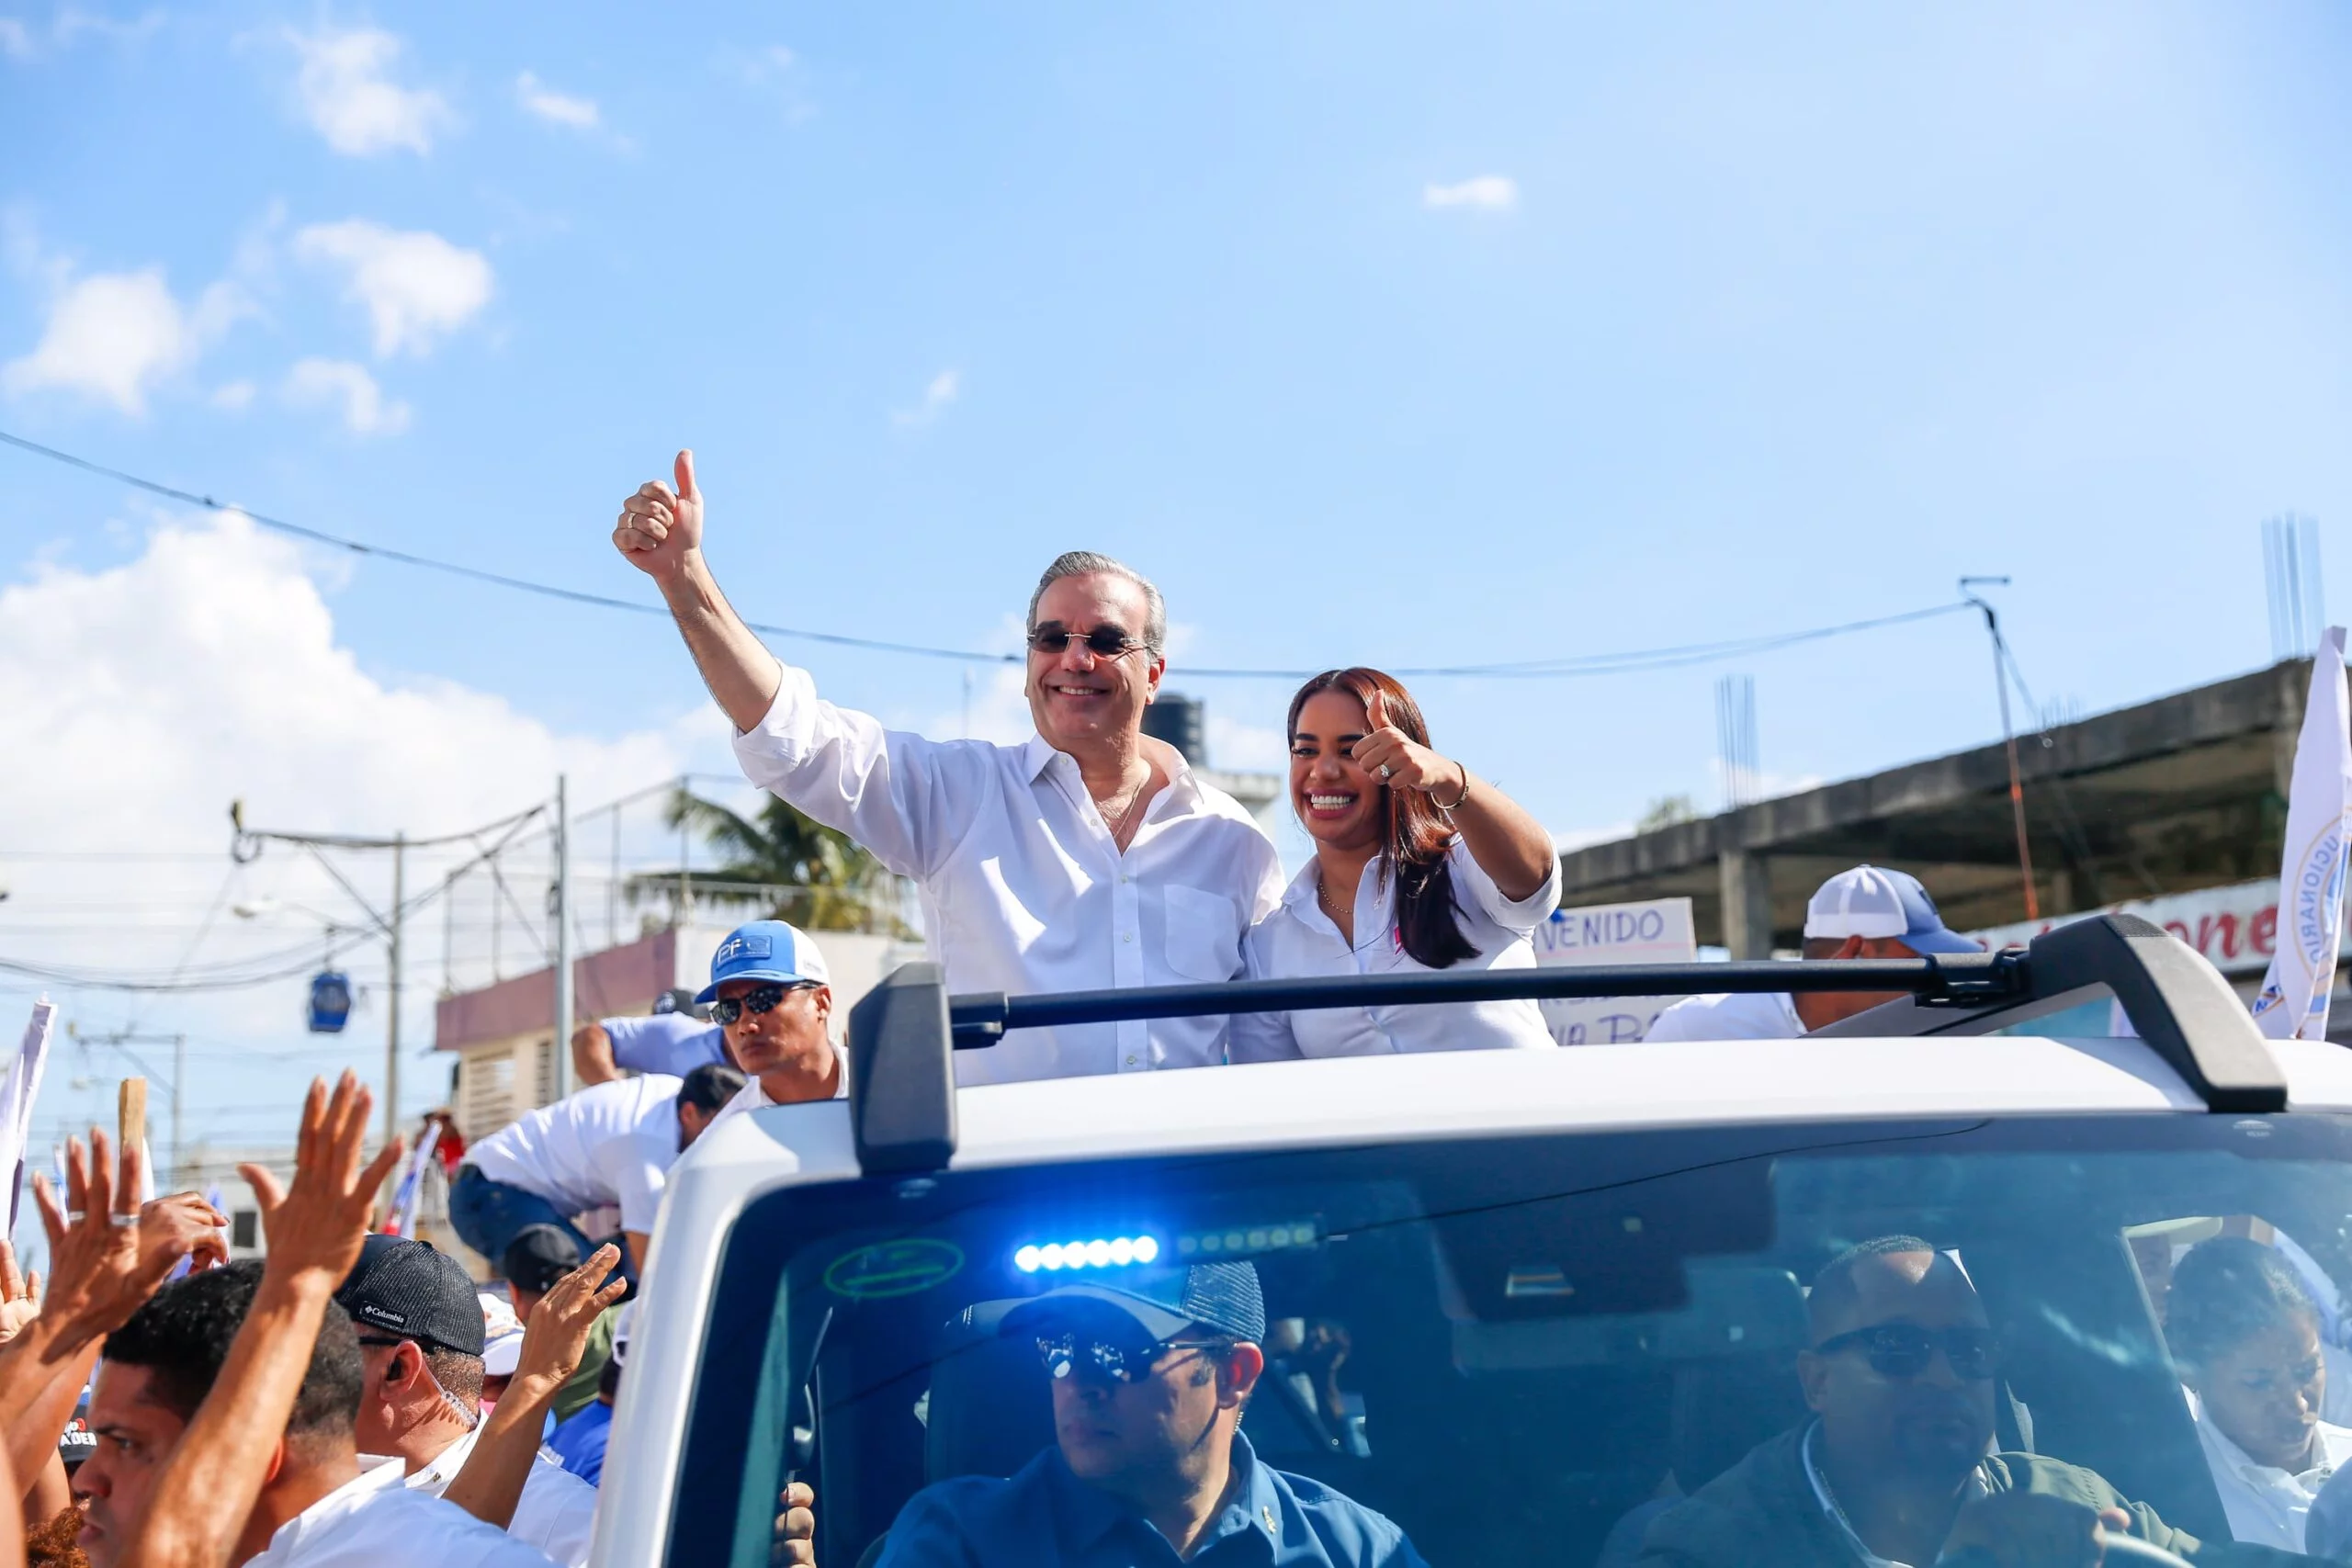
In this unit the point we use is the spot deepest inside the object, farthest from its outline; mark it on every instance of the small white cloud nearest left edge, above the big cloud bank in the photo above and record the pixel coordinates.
(119, 335)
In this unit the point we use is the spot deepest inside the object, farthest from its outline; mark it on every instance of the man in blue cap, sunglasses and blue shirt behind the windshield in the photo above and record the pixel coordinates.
(1151, 1372)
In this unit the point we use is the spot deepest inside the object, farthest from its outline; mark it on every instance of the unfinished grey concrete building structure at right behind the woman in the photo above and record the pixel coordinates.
(2165, 798)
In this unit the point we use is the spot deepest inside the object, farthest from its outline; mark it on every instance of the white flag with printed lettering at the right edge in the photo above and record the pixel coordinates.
(2294, 1000)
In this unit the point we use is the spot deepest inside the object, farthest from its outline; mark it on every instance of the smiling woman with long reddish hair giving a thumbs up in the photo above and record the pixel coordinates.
(1417, 866)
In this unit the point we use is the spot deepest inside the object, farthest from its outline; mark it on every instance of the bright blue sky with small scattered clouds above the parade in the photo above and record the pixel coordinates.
(1375, 333)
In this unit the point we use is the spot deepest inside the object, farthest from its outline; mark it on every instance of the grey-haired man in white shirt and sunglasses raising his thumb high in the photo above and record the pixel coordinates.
(1083, 859)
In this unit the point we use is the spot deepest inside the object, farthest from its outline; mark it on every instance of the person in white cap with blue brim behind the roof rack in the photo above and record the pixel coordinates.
(1869, 913)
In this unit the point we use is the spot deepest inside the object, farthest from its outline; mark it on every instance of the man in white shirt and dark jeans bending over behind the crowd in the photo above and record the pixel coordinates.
(606, 1146)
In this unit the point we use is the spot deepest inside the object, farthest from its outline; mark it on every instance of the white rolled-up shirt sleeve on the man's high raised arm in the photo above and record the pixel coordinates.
(900, 796)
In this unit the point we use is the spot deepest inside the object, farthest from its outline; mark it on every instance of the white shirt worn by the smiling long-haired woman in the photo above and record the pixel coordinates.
(1299, 942)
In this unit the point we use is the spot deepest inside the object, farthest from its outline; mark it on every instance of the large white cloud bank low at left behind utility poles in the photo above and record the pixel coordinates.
(208, 669)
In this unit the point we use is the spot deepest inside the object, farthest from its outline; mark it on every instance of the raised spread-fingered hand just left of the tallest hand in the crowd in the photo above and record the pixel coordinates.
(107, 1264)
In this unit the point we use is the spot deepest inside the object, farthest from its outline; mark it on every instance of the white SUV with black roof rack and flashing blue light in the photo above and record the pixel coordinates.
(1516, 1296)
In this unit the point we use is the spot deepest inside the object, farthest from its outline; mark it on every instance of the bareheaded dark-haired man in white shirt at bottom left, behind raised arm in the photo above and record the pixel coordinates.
(319, 1508)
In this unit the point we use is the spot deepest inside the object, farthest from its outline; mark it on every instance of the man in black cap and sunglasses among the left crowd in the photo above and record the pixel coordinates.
(422, 1339)
